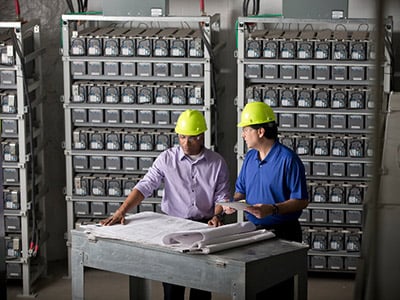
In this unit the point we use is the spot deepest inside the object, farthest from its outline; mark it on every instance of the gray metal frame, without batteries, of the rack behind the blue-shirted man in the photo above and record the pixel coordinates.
(284, 24)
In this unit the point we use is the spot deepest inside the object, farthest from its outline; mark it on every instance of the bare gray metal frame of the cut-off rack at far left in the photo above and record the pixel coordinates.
(29, 274)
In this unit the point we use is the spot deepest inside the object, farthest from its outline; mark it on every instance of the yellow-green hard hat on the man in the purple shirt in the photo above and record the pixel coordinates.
(191, 122)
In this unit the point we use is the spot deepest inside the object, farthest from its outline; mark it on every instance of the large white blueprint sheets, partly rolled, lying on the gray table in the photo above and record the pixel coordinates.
(179, 234)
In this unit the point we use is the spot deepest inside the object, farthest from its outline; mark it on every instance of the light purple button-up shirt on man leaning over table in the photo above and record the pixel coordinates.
(191, 187)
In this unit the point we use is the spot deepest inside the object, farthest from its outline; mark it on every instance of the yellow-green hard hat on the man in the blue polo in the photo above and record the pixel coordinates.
(256, 113)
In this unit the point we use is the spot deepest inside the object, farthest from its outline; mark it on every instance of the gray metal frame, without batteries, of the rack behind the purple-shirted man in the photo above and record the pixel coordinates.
(211, 28)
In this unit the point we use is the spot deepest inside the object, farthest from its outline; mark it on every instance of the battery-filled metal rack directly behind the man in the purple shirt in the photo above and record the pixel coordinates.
(126, 80)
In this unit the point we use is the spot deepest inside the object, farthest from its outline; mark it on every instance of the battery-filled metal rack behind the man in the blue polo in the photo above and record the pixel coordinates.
(318, 77)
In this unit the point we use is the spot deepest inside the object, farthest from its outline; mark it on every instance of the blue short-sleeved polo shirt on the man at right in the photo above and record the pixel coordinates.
(278, 177)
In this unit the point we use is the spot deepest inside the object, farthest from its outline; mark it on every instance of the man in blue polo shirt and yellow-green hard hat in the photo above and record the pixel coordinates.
(272, 180)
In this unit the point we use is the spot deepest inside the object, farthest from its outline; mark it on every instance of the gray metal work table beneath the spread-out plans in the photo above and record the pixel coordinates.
(241, 272)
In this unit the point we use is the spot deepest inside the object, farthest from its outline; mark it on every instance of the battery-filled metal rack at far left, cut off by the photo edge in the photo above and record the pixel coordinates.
(23, 188)
